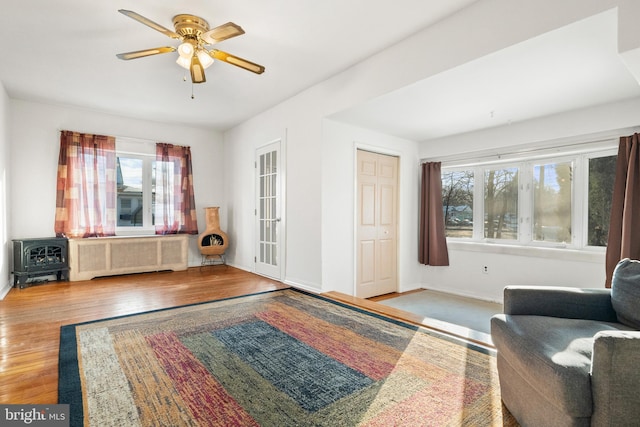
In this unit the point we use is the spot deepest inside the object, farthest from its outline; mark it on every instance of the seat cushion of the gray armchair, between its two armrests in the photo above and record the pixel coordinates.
(552, 355)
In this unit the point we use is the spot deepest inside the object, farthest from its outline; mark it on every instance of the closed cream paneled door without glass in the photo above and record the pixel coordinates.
(377, 213)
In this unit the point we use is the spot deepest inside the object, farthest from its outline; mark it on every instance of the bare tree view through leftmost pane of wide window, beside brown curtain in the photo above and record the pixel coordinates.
(457, 203)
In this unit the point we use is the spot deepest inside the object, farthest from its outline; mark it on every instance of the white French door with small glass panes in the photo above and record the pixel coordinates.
(268, 218)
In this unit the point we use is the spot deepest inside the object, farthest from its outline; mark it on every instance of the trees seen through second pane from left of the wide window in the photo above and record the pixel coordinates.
(501, 204)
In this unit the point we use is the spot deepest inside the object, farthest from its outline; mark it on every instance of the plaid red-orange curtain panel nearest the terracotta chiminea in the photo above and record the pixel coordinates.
(175, 207)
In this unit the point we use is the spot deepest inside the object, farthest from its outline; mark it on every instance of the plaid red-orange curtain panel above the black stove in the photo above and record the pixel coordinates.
(85, 199)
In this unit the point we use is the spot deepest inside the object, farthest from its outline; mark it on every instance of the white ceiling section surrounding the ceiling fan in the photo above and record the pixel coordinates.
(63, 52)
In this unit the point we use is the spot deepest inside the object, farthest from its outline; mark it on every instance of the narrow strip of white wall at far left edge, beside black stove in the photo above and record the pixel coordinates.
(5, 170)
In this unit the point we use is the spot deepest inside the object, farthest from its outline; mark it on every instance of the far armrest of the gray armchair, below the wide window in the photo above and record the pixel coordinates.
(572, 303)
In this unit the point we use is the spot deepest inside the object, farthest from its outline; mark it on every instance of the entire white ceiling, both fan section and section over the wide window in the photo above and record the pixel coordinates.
(63, 52)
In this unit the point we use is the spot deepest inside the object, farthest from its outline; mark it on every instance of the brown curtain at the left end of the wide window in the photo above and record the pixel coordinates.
(433, 243)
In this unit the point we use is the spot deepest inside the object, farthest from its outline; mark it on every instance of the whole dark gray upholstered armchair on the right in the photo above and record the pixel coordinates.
(571, 356)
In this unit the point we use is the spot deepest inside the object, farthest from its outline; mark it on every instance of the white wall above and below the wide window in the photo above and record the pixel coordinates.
(507, 266)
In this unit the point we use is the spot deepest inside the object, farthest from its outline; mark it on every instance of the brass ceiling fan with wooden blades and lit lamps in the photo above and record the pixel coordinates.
(195, 35)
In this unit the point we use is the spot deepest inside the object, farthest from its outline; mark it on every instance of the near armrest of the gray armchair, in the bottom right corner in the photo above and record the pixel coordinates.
(615, 378)
